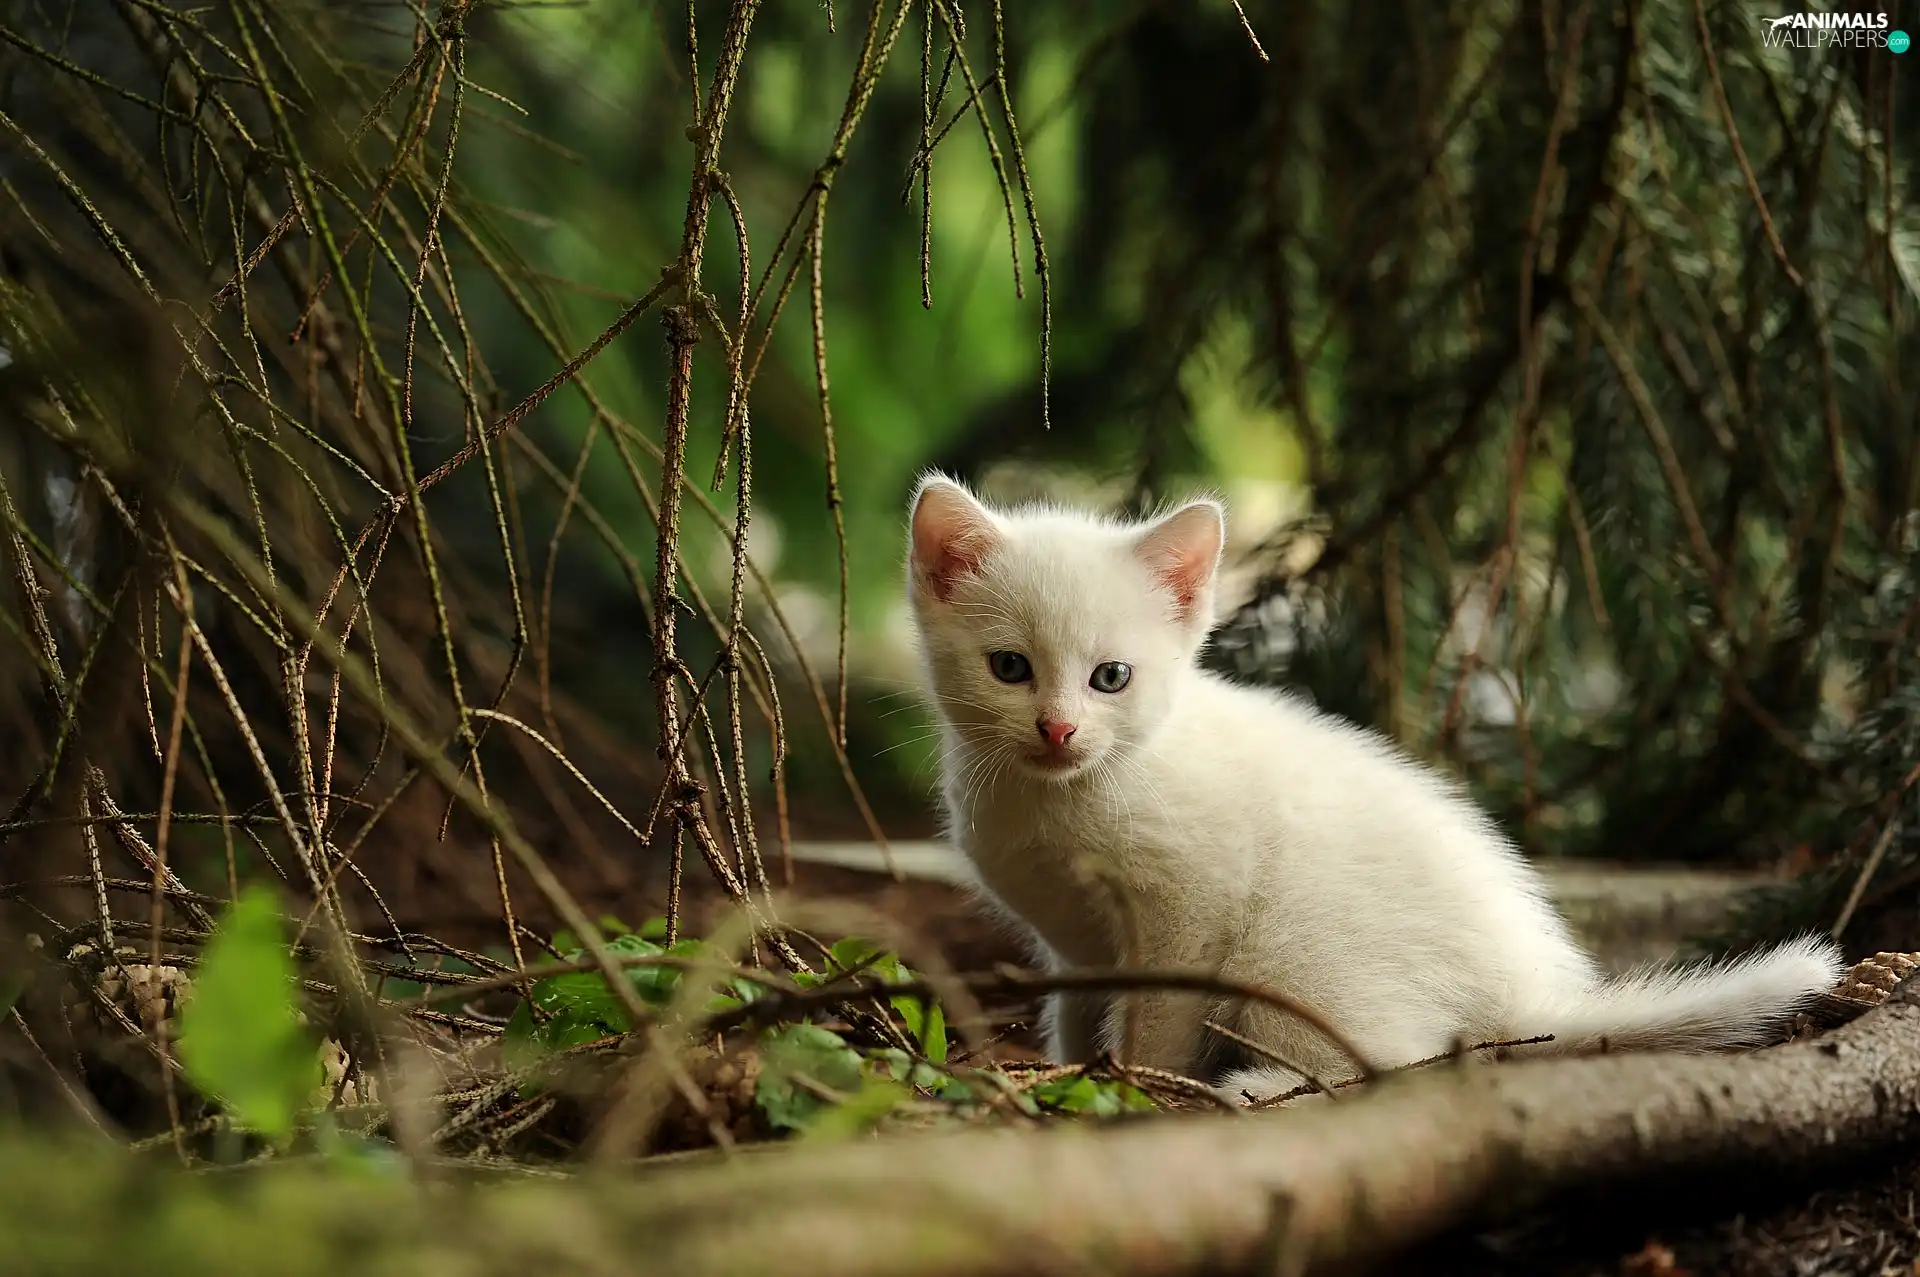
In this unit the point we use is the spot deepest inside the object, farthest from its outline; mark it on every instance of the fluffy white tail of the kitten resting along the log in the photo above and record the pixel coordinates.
(1704, 1007)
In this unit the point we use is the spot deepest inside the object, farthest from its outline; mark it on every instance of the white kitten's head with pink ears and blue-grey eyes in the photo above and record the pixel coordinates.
(1053, 637)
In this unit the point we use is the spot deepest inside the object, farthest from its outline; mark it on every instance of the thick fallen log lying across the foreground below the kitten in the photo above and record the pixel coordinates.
(1333, 1188)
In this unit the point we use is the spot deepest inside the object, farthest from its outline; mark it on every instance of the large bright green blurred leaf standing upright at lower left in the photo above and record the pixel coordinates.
(243, 1040)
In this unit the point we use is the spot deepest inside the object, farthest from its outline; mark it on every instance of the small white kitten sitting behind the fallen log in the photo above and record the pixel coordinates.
(1132, 807)
